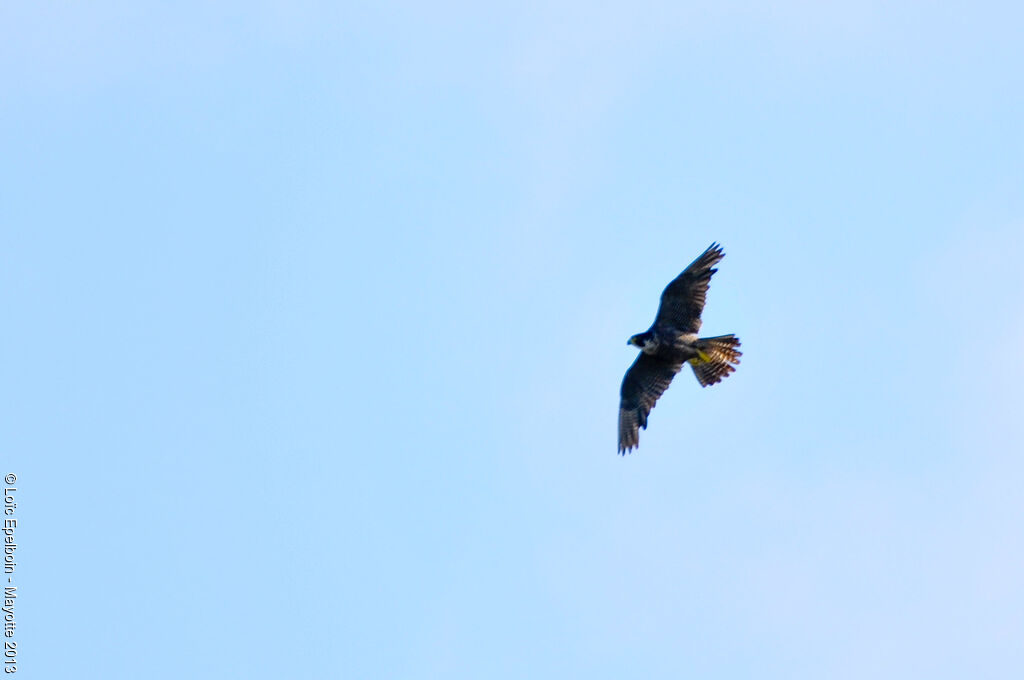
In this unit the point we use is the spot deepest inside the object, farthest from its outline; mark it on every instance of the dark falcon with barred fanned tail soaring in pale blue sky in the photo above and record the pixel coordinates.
(671, 342)
